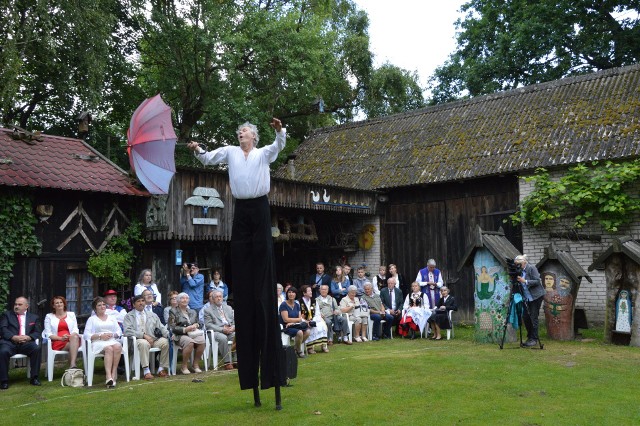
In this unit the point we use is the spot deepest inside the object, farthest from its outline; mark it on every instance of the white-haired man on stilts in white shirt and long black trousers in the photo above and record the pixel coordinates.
(258, 340)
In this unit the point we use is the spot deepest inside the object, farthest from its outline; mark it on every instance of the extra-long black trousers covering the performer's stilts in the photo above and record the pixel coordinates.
(258, 341)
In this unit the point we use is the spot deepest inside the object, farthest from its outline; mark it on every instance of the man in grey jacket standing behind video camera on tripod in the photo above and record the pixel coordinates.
(532, 292)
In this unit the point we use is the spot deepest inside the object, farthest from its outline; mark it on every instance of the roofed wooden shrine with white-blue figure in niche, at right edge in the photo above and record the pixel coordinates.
(621, 268)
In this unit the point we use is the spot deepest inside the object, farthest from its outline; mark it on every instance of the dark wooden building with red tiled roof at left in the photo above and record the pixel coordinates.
(81, 200)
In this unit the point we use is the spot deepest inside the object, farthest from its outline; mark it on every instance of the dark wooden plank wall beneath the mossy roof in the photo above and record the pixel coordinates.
(436, 222)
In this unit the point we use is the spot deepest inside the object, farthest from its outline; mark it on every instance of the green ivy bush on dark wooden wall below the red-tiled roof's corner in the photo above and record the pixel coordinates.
(113, 264)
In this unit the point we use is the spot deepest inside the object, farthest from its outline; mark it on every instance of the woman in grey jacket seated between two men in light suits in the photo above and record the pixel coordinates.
(183, 323)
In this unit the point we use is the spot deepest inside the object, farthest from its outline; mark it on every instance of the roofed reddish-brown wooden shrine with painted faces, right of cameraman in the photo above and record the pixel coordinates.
(561, 274)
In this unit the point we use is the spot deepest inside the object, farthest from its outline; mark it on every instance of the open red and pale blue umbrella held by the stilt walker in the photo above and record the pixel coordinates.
(152, 143)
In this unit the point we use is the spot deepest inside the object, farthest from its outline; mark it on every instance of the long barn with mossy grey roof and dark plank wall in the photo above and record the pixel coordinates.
(446, 169)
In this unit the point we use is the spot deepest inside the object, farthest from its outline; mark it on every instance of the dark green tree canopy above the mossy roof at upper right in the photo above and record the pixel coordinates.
(506, 44)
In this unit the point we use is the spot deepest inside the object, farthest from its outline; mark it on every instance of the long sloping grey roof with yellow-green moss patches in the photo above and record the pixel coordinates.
(563, 122)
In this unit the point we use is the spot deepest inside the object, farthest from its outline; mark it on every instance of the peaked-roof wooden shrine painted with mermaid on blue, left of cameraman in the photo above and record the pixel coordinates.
(488, 254)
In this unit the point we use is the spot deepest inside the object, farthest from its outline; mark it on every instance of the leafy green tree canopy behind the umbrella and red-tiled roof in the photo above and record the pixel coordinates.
(216, 63)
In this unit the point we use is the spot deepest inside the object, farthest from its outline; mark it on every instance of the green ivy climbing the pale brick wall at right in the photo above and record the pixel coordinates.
(587, 192)
